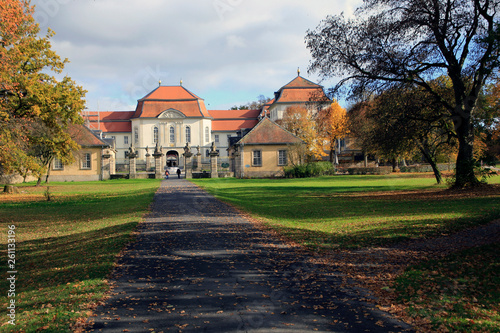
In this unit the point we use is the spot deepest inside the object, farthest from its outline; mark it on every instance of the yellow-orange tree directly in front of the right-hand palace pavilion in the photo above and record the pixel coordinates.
(299, 121)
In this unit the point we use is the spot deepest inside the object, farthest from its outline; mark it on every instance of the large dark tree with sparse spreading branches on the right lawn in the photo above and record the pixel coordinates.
(414, 41)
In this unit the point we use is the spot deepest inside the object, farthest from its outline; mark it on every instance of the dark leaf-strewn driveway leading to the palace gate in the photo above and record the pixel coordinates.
(199, 266)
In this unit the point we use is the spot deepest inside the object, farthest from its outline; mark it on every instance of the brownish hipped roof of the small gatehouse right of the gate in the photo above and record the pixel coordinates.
(268, 132)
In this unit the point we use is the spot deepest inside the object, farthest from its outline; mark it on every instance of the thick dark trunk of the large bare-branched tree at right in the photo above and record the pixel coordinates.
(464, 173)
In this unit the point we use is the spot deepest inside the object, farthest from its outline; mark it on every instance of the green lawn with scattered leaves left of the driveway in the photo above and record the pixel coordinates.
(66, 248)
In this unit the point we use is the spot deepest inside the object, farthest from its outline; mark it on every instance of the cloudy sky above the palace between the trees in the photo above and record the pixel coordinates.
(228, 52)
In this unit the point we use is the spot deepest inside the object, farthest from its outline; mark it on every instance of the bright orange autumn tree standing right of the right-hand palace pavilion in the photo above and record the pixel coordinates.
(332, 125)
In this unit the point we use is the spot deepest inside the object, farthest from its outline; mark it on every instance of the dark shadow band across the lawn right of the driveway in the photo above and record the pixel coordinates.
(316, 205)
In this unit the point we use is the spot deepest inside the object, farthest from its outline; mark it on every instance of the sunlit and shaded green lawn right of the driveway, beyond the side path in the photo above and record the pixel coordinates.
(353, 211)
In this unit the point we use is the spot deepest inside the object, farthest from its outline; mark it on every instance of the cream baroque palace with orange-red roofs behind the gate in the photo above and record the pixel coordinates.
(172, 117)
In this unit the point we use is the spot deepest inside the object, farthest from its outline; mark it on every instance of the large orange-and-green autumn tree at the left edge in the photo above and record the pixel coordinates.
(30, 97)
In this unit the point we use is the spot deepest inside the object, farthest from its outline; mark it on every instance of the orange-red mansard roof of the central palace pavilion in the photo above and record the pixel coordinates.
(170, 97)
